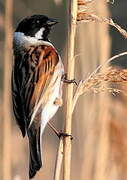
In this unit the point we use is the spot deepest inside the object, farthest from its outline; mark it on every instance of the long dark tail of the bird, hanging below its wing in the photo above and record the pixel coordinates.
(35, 162)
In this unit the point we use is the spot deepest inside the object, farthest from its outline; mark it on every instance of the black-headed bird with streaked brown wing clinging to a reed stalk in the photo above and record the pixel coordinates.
(36, 82)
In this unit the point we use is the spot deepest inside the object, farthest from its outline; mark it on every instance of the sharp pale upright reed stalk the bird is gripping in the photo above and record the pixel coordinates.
(69, 90)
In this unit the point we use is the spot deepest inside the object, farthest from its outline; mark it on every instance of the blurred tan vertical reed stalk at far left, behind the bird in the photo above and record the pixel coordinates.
(7, 90)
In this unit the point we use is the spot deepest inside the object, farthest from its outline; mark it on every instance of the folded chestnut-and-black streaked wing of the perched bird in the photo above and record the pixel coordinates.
(31, 76)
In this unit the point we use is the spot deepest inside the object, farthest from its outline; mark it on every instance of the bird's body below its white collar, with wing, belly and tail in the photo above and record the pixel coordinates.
(36, 84)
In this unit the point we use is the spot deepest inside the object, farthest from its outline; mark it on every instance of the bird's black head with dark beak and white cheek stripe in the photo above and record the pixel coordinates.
(38, 26)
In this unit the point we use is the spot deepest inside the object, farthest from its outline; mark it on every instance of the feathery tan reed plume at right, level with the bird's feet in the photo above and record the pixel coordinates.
(96, 82)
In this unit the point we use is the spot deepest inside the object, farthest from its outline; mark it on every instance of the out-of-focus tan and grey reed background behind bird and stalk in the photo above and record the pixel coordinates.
(99, 148)
